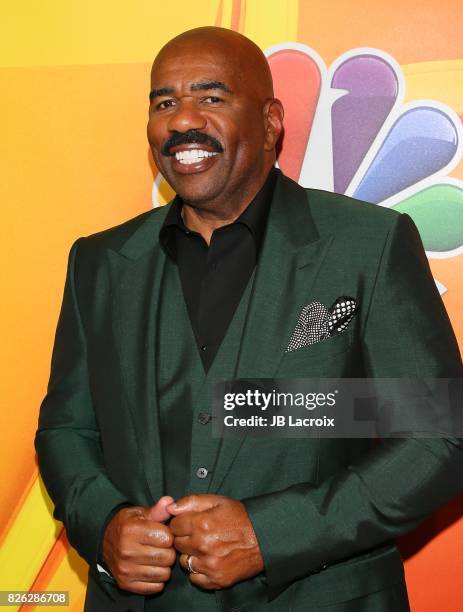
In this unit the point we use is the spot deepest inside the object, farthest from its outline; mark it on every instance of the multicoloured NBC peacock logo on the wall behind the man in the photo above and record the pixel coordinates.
(348, 130)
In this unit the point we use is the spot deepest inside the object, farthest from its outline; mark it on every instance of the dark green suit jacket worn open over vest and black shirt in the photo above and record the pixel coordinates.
(325, 512)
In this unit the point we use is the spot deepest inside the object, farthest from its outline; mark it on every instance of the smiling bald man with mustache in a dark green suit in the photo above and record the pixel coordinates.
(211, 287)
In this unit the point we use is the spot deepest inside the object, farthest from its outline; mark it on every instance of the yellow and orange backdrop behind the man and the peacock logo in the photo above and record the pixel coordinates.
(74, 81)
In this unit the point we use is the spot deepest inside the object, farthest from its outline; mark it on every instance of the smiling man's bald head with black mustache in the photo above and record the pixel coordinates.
(213, 122)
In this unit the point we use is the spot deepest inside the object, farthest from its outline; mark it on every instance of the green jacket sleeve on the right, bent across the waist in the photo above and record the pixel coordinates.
(388, 491)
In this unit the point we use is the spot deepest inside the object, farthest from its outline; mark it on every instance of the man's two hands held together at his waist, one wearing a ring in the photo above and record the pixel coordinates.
(215, 531)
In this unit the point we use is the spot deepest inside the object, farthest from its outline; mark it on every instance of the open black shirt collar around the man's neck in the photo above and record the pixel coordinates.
(254, 216)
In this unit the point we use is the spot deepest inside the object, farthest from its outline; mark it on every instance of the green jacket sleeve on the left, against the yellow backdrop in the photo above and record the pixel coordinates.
(67, 440)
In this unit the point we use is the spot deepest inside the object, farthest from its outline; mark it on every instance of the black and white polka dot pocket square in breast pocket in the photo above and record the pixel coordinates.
(316, 322)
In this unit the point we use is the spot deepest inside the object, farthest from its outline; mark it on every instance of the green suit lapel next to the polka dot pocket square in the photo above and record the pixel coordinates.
(291, 256)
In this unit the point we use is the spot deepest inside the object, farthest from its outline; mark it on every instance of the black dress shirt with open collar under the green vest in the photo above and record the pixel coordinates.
(214, 277)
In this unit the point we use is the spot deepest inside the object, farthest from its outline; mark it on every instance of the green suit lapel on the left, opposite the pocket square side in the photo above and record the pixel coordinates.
(136, 270)
